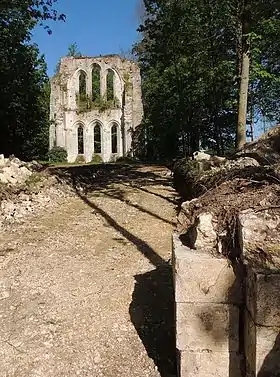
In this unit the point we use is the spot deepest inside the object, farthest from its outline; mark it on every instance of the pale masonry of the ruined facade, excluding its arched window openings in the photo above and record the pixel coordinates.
(66, 116)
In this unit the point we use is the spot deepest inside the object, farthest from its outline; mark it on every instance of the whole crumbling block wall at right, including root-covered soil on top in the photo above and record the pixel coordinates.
(226, 268)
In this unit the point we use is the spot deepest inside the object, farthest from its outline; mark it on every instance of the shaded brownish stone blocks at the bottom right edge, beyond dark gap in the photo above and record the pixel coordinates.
(262, 324)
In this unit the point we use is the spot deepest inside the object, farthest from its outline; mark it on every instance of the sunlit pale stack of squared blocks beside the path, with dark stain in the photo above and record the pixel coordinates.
(207, 313)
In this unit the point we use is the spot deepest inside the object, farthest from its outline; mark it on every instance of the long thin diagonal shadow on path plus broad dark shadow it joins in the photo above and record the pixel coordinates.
(152, 308)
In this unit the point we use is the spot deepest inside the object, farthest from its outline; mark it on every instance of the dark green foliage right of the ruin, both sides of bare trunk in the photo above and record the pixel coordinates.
(190, 63)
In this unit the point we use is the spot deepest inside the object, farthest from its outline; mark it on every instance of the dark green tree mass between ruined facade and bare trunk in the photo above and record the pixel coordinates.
(188, 69)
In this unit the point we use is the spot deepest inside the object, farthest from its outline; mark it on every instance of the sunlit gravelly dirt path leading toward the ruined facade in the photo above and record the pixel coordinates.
(85, 289)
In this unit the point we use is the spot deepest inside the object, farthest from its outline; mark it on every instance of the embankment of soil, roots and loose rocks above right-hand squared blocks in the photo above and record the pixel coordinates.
(225, 197)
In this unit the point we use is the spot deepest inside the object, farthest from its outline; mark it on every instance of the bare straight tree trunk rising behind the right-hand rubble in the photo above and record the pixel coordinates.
(243, 101)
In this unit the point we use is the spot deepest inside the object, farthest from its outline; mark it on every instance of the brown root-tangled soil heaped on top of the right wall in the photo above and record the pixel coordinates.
(225, 193)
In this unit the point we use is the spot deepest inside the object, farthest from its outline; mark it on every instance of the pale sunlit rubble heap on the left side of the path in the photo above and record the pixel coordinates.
(25, 189)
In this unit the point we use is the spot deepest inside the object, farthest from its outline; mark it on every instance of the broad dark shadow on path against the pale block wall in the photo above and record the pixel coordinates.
(153, 315)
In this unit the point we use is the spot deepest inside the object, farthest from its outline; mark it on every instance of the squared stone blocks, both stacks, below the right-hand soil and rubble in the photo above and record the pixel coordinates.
(227, 319)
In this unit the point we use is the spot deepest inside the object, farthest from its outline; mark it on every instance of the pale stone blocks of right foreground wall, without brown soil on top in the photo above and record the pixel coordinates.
(228, 312)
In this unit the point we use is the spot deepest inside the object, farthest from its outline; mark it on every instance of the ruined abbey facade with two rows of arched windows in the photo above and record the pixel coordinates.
(96, 104)
